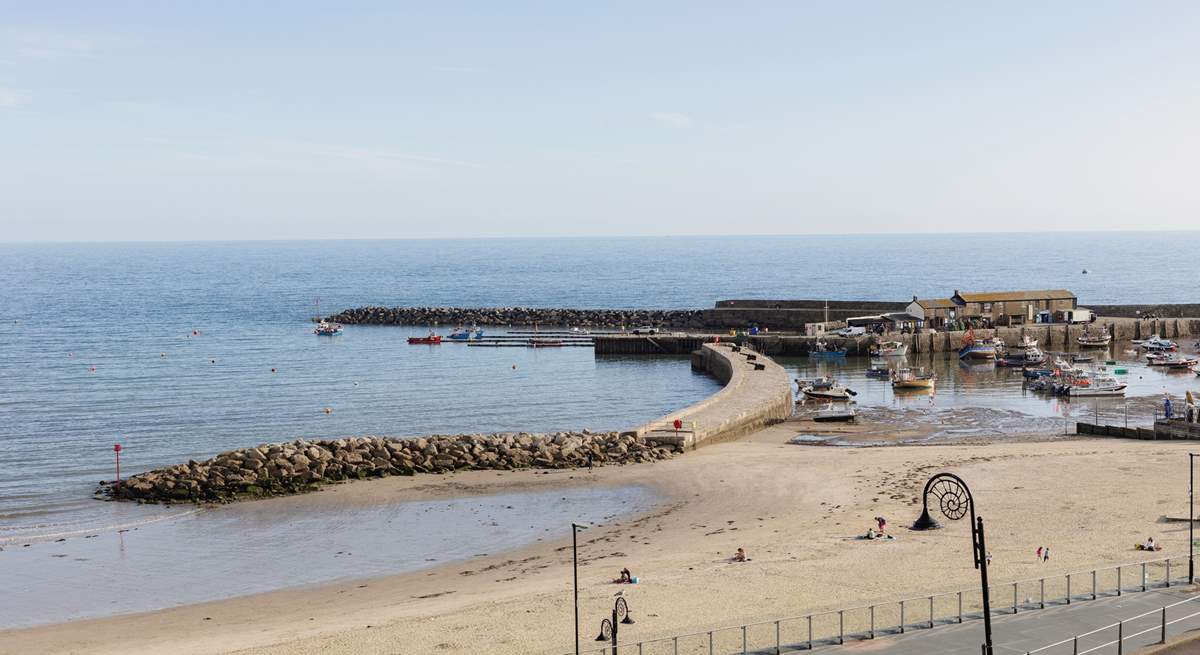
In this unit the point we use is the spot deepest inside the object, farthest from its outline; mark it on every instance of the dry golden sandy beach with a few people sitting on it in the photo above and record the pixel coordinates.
(795, 509)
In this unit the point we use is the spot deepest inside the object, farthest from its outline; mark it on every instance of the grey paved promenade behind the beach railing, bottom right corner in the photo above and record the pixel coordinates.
(1019, 634)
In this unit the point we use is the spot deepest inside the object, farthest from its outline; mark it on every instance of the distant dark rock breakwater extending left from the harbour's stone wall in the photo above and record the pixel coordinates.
(521, 316)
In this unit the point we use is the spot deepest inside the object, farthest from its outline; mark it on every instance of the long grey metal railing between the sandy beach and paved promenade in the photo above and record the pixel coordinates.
(837, 627)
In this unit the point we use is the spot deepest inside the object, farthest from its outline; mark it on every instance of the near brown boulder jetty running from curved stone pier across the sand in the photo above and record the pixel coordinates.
(304, 466)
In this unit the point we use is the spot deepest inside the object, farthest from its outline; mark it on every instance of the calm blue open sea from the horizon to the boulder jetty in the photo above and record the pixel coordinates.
(169, 348)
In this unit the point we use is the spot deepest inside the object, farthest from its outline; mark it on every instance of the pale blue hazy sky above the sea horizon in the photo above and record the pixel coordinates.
(225, 121)
